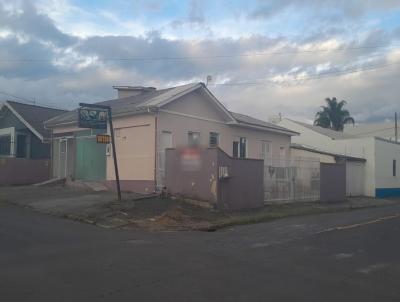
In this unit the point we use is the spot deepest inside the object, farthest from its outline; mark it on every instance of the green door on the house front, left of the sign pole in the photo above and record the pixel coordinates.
(90, 158)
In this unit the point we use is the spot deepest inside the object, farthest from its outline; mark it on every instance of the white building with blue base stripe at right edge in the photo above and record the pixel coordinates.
(378, 176)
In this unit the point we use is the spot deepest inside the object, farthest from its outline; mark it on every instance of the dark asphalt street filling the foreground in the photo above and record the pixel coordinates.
(352, 256)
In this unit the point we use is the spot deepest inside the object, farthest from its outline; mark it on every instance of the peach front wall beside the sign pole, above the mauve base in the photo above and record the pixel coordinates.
(135, 146)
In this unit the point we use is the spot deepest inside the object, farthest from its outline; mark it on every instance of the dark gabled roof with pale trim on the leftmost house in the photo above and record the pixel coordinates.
(33, 116)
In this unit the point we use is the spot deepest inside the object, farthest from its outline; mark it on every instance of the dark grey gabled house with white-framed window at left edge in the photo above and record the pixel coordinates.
(25, 147)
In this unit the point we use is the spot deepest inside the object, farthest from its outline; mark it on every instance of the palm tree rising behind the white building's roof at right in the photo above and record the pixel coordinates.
(333, 116)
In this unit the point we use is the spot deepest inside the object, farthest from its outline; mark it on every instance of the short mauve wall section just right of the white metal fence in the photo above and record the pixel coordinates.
(333, 182)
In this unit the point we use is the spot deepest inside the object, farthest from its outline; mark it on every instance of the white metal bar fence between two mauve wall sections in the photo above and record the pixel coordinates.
(291, 179)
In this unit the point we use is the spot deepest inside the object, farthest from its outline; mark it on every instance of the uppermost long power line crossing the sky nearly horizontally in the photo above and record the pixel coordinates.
(32, 60)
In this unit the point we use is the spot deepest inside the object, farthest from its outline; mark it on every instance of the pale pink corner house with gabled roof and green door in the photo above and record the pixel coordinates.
(146, 122)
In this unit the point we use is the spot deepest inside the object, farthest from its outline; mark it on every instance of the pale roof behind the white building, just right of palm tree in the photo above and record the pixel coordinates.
(384, 130)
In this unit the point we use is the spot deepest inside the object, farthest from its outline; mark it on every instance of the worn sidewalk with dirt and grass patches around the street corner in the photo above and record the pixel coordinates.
(154, 213)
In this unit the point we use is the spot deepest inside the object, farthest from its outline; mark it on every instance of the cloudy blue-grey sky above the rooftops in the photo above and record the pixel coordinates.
(265, 57)
